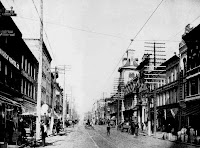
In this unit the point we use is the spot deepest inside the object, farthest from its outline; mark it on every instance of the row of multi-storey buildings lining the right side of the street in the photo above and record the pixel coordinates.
(157, 94)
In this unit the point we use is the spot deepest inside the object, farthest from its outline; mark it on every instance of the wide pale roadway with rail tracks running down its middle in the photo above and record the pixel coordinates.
(81, 137)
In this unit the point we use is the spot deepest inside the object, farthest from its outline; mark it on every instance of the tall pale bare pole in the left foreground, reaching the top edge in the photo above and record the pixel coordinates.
(39, 75)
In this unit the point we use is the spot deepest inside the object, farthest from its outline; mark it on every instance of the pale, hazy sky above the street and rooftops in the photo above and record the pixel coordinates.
(91, 36)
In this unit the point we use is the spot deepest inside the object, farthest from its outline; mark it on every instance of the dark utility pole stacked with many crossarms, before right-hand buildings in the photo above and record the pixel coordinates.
(156, 61)
